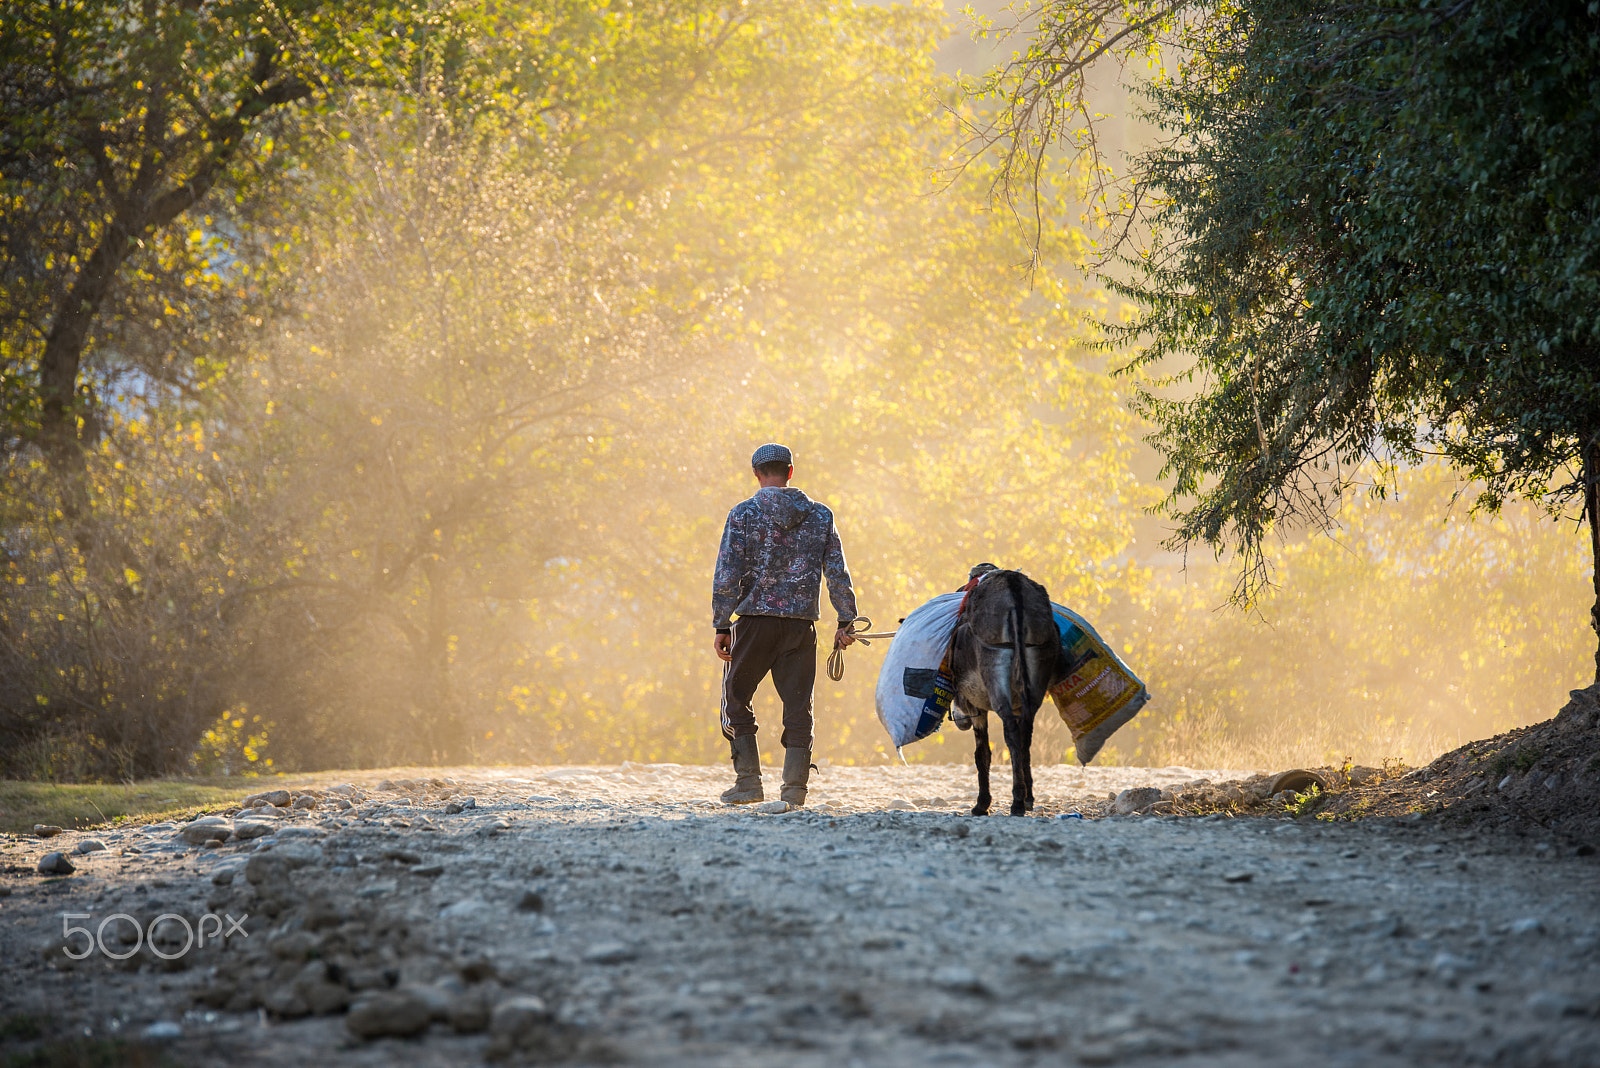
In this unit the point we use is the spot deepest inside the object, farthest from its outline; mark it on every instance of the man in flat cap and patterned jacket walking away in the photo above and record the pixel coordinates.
(775, 551)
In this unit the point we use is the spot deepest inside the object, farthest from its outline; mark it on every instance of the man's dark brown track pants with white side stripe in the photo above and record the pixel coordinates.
(788, 650)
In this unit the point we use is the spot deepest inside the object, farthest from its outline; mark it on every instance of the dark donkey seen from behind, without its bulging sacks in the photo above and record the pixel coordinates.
(1006, 655)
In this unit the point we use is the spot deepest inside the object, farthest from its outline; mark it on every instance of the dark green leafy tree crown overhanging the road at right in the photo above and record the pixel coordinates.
(1374, 239)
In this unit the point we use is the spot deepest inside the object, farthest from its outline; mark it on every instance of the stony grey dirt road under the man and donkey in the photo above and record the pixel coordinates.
(623, 917)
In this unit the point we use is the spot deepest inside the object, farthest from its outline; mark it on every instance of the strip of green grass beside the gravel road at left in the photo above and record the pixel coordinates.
(92, 805)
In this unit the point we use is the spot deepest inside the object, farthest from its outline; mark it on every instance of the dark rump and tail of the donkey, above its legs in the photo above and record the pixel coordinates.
(1017, 640)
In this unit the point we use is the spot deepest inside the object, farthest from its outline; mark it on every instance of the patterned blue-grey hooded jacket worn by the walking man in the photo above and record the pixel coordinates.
(775, 551)
